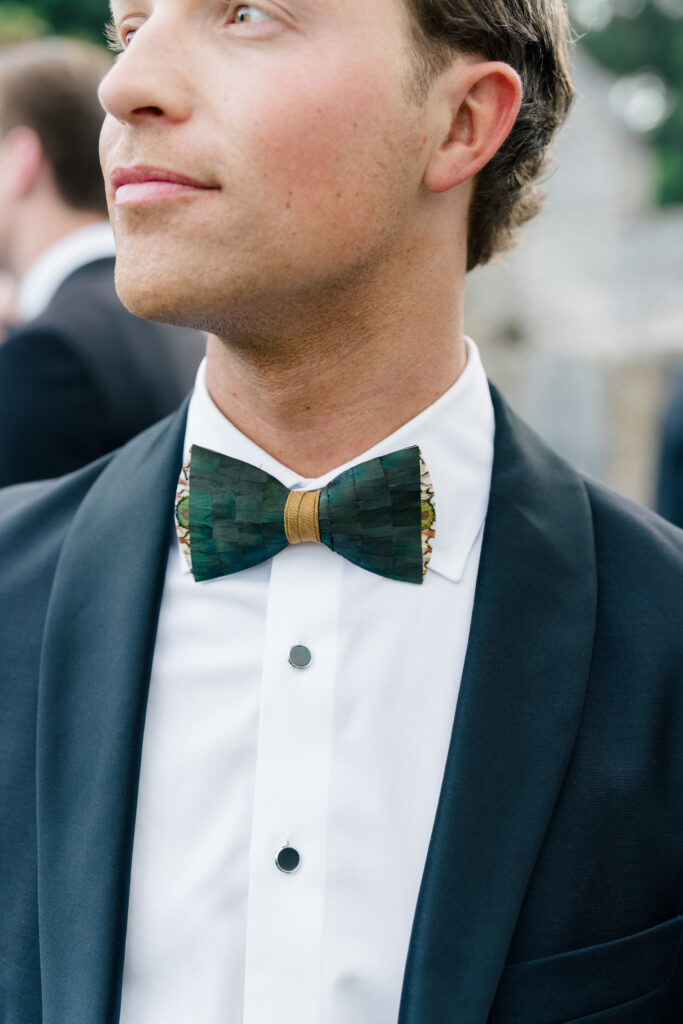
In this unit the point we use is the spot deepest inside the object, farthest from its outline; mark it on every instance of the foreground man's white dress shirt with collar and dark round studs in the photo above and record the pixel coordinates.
(244, 754)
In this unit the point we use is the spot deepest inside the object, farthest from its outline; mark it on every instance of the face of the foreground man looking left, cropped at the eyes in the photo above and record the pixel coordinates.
(296, 117)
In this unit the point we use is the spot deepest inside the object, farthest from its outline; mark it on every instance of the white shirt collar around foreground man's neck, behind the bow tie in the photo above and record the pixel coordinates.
(455, 436)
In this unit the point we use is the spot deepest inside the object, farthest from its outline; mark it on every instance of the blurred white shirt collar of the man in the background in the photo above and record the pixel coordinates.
(59, 262)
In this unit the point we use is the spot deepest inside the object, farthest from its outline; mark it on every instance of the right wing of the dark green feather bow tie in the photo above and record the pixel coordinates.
(371, 515)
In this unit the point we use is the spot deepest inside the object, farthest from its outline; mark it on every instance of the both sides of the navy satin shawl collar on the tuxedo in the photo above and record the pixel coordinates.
(519, 711)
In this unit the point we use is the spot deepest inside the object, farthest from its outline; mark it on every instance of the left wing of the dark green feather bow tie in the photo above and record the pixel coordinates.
(236, 515)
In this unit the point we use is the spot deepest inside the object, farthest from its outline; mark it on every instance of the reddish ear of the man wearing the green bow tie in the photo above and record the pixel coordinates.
(478, 106)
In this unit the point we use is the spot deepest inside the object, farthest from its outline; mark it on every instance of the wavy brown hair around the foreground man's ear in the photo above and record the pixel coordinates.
(534, 37)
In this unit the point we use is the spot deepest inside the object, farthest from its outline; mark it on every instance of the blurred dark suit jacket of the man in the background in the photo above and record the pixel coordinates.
(86, 377)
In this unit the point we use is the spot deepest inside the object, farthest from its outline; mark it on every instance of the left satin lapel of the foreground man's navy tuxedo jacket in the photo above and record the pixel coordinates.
(97, 660)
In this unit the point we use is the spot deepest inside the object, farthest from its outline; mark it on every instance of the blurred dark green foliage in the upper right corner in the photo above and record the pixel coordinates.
(653, 40)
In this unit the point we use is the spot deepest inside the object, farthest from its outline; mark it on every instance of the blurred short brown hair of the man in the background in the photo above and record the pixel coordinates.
(51, 86)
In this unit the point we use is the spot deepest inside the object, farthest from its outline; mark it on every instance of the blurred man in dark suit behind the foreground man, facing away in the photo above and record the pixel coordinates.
(81, 375)
